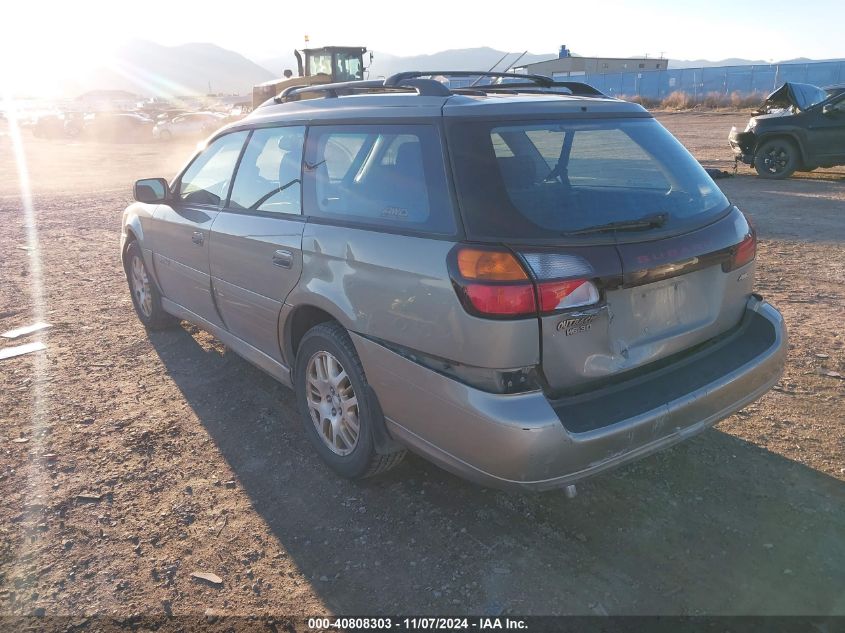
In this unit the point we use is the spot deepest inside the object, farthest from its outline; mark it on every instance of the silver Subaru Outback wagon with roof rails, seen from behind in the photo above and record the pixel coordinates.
(525, 282)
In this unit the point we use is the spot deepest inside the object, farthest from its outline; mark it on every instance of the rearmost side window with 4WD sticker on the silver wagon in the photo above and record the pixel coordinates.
(390, 175)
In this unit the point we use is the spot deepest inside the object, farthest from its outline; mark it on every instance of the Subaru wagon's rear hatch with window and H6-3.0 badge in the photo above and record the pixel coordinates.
(635, 253)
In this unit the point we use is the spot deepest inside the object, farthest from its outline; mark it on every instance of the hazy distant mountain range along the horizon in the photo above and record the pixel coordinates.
(150, 69)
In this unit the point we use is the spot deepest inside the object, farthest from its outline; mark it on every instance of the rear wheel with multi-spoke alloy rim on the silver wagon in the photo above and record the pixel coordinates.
(332, 394)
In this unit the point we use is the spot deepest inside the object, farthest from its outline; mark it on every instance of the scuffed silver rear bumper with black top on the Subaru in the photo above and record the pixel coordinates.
(525, 441)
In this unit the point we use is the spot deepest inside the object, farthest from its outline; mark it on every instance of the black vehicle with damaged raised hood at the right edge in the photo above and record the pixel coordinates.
(799, 127)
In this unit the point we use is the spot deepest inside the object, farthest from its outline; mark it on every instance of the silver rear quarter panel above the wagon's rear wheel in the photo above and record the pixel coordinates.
(396, 288)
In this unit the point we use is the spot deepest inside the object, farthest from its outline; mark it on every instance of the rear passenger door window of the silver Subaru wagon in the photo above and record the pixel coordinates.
(270, 172)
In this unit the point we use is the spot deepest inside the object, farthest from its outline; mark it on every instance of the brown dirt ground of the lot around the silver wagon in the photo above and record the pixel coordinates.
(130, 460)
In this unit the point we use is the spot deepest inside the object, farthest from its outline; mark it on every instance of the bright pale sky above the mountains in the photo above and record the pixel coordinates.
(51, 38)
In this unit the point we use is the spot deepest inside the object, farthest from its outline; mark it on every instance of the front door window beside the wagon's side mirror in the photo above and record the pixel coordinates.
(206, 181)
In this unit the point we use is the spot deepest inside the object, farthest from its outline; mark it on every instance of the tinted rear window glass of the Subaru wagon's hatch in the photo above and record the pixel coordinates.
(544, 179)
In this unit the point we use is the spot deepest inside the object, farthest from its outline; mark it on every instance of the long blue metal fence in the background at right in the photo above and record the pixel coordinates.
(722, 80)
